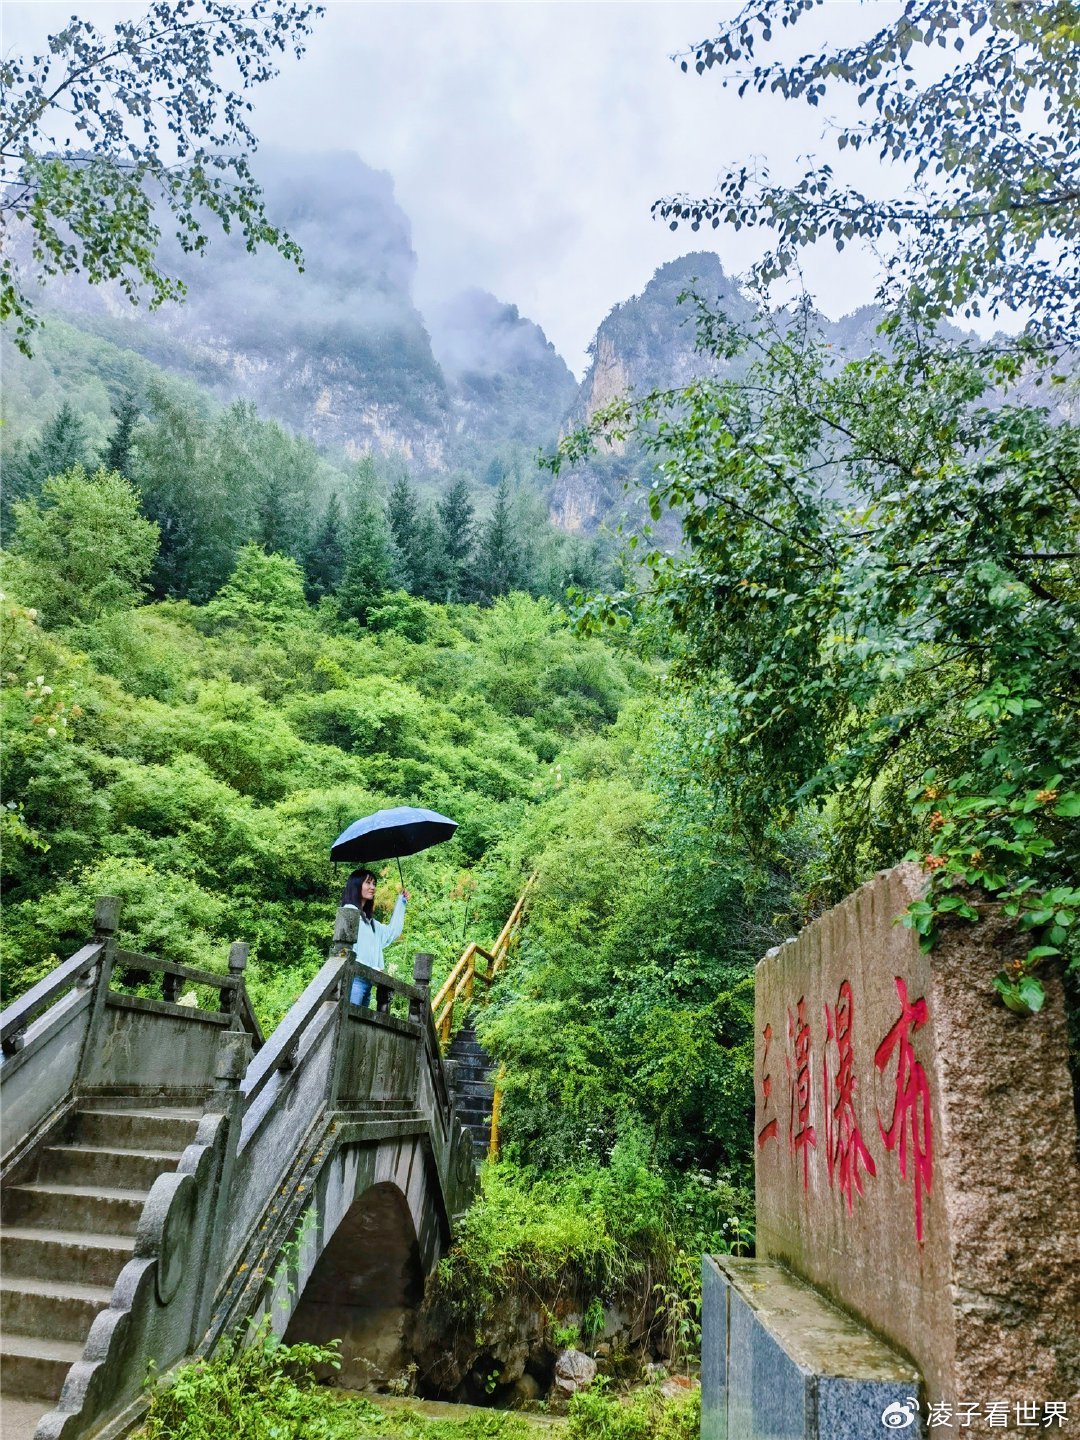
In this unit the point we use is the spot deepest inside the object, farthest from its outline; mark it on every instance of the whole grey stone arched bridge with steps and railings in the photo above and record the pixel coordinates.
(169, 1176)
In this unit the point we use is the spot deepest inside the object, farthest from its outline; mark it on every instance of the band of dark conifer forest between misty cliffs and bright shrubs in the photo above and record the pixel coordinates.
(217, 477)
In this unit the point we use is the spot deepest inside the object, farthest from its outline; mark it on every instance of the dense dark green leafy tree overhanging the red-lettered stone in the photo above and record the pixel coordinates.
(879, 604)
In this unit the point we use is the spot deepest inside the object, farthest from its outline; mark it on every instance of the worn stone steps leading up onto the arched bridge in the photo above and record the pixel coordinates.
(67, 1233)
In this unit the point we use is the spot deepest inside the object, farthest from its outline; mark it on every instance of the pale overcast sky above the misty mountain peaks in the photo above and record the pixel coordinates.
(528, 142)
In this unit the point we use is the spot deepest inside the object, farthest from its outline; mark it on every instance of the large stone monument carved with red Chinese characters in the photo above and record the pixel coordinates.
(917, 1146)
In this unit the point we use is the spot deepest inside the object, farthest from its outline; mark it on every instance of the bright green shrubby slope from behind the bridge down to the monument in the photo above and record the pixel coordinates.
(198, 760)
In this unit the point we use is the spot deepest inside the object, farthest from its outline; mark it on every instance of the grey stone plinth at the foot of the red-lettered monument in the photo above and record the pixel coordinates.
(778, 1363)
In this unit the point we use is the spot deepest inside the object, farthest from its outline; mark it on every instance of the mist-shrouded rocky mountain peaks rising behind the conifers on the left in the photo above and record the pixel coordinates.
(338, 351)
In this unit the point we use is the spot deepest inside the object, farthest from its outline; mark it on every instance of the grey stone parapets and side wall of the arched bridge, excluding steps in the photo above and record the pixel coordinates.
(338, 1101)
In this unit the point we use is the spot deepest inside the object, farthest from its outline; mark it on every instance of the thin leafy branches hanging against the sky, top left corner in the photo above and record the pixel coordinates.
(90, 210)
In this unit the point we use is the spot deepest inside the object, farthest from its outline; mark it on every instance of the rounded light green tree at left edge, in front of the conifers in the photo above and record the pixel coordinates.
(83, 548)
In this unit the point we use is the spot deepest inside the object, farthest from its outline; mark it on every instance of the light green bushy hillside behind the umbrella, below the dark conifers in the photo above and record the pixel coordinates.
(201, 761)
